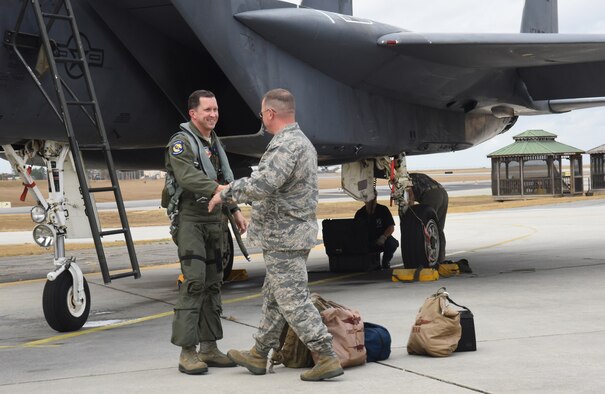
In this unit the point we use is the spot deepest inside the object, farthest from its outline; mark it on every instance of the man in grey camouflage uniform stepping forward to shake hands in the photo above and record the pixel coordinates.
(284, 194)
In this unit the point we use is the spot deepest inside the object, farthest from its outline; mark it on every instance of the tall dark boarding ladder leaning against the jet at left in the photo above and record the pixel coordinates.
(62, 12)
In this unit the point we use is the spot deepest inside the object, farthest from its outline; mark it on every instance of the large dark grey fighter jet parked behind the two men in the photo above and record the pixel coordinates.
(368, 92)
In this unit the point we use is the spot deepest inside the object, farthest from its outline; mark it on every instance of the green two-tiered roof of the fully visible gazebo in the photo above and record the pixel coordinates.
(535, 142)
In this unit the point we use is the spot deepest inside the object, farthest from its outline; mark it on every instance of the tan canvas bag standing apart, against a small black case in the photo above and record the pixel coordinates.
(436, 330)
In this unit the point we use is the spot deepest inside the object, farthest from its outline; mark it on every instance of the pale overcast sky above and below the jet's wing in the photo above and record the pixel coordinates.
(583, 129)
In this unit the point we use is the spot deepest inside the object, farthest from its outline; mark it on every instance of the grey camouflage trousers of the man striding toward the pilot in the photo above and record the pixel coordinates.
(286, 300)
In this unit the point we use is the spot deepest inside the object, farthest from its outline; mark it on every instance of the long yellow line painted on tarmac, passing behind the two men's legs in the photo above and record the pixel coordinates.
(43, 342)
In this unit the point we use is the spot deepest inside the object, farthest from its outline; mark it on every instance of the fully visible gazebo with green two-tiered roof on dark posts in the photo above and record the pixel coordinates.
(532, 167)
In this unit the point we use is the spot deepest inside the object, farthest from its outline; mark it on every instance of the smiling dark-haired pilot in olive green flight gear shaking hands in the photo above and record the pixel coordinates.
(197, 162)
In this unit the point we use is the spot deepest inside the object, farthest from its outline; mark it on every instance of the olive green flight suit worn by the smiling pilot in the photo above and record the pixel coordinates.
(199, 237)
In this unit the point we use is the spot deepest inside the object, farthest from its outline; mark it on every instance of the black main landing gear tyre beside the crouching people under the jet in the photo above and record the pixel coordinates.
(416, 249)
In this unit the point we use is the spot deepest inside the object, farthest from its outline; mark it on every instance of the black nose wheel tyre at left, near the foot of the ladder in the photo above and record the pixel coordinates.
(60, 313)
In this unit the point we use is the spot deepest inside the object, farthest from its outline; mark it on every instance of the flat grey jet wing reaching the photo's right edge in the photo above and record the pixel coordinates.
(576, 62)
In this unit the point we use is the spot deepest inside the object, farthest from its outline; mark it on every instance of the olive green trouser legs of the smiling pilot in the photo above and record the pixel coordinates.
(197, 313)
